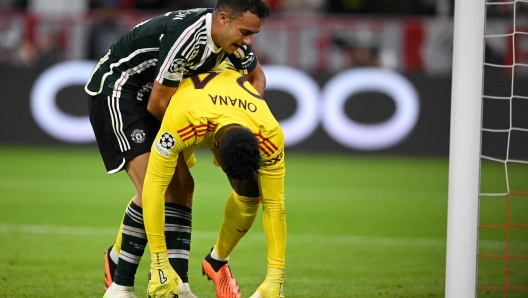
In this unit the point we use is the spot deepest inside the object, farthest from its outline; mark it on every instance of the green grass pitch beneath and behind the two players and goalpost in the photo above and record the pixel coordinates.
(358, 226)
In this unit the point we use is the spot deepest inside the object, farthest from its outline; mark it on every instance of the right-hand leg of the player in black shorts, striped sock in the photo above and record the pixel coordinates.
(178, 219)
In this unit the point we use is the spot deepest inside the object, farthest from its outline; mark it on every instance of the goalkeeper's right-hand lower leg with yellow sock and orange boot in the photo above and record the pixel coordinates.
(239, 214)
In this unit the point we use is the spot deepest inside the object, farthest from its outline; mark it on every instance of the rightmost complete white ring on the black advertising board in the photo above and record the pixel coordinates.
(369, 136)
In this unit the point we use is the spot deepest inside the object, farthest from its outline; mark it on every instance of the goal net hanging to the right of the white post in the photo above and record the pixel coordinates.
(503, 210)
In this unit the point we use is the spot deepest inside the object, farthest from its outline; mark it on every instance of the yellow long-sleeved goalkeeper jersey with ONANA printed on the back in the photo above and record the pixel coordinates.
(202, 105)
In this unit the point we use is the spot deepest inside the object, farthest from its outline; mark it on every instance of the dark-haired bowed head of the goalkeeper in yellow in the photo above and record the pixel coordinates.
(239, 153)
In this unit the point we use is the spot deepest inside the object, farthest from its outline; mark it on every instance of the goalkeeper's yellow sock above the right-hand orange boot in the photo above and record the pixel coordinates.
(239, 214)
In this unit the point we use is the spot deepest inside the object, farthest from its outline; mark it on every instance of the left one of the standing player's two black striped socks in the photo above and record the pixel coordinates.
(132, 245)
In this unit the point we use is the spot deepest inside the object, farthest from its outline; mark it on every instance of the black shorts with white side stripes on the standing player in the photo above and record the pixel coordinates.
(123, 129)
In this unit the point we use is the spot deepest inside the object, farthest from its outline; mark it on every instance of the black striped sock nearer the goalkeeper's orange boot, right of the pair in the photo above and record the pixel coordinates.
(178, 226)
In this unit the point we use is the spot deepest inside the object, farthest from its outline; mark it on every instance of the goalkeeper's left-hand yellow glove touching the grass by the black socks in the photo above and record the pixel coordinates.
(163, 280)
